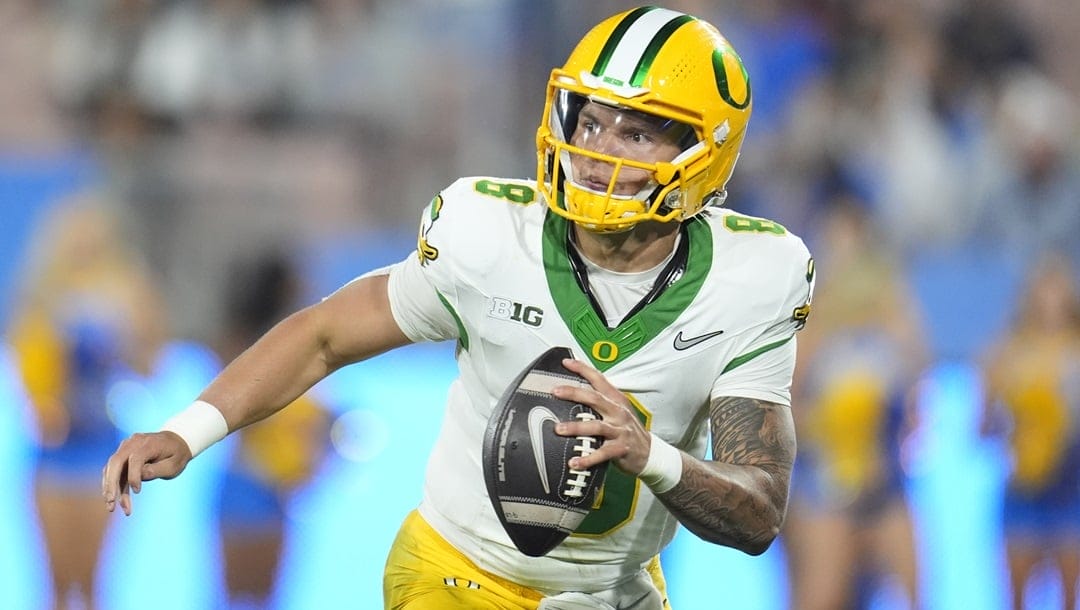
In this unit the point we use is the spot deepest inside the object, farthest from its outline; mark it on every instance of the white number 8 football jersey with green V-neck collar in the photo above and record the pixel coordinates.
(492, 270)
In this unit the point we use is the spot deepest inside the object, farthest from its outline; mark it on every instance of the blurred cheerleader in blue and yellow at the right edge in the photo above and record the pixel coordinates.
(1033, 398)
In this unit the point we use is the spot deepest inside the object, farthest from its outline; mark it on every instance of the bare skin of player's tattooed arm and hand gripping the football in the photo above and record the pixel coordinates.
(737, 499)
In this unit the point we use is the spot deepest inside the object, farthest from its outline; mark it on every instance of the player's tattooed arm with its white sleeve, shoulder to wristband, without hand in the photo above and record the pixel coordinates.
(739, 498)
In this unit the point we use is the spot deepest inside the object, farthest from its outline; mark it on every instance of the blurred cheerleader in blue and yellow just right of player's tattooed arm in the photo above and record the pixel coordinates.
(861, 356)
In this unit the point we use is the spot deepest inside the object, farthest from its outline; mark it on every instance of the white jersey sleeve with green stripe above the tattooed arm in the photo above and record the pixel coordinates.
(765, 368)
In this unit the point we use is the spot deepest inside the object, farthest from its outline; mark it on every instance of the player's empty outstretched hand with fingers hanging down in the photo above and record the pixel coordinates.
(142, 457)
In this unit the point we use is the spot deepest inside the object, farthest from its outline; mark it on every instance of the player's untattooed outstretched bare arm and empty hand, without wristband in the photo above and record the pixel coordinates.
(354, 324)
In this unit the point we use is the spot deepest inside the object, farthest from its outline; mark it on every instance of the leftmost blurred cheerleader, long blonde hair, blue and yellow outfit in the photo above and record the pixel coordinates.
(89, 313)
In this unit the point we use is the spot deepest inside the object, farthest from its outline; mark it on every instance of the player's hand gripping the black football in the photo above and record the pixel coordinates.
(627, 443)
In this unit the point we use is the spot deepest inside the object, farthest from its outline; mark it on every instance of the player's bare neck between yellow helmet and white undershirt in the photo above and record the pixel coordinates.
(641, 249)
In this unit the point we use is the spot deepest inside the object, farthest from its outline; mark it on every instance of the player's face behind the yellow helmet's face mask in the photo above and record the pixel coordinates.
(618, 133)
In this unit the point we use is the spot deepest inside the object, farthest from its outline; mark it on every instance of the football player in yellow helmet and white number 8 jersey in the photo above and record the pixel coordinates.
(682, 316)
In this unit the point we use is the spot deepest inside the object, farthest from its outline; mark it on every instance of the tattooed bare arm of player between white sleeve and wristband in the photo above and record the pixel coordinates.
(739, 499)
